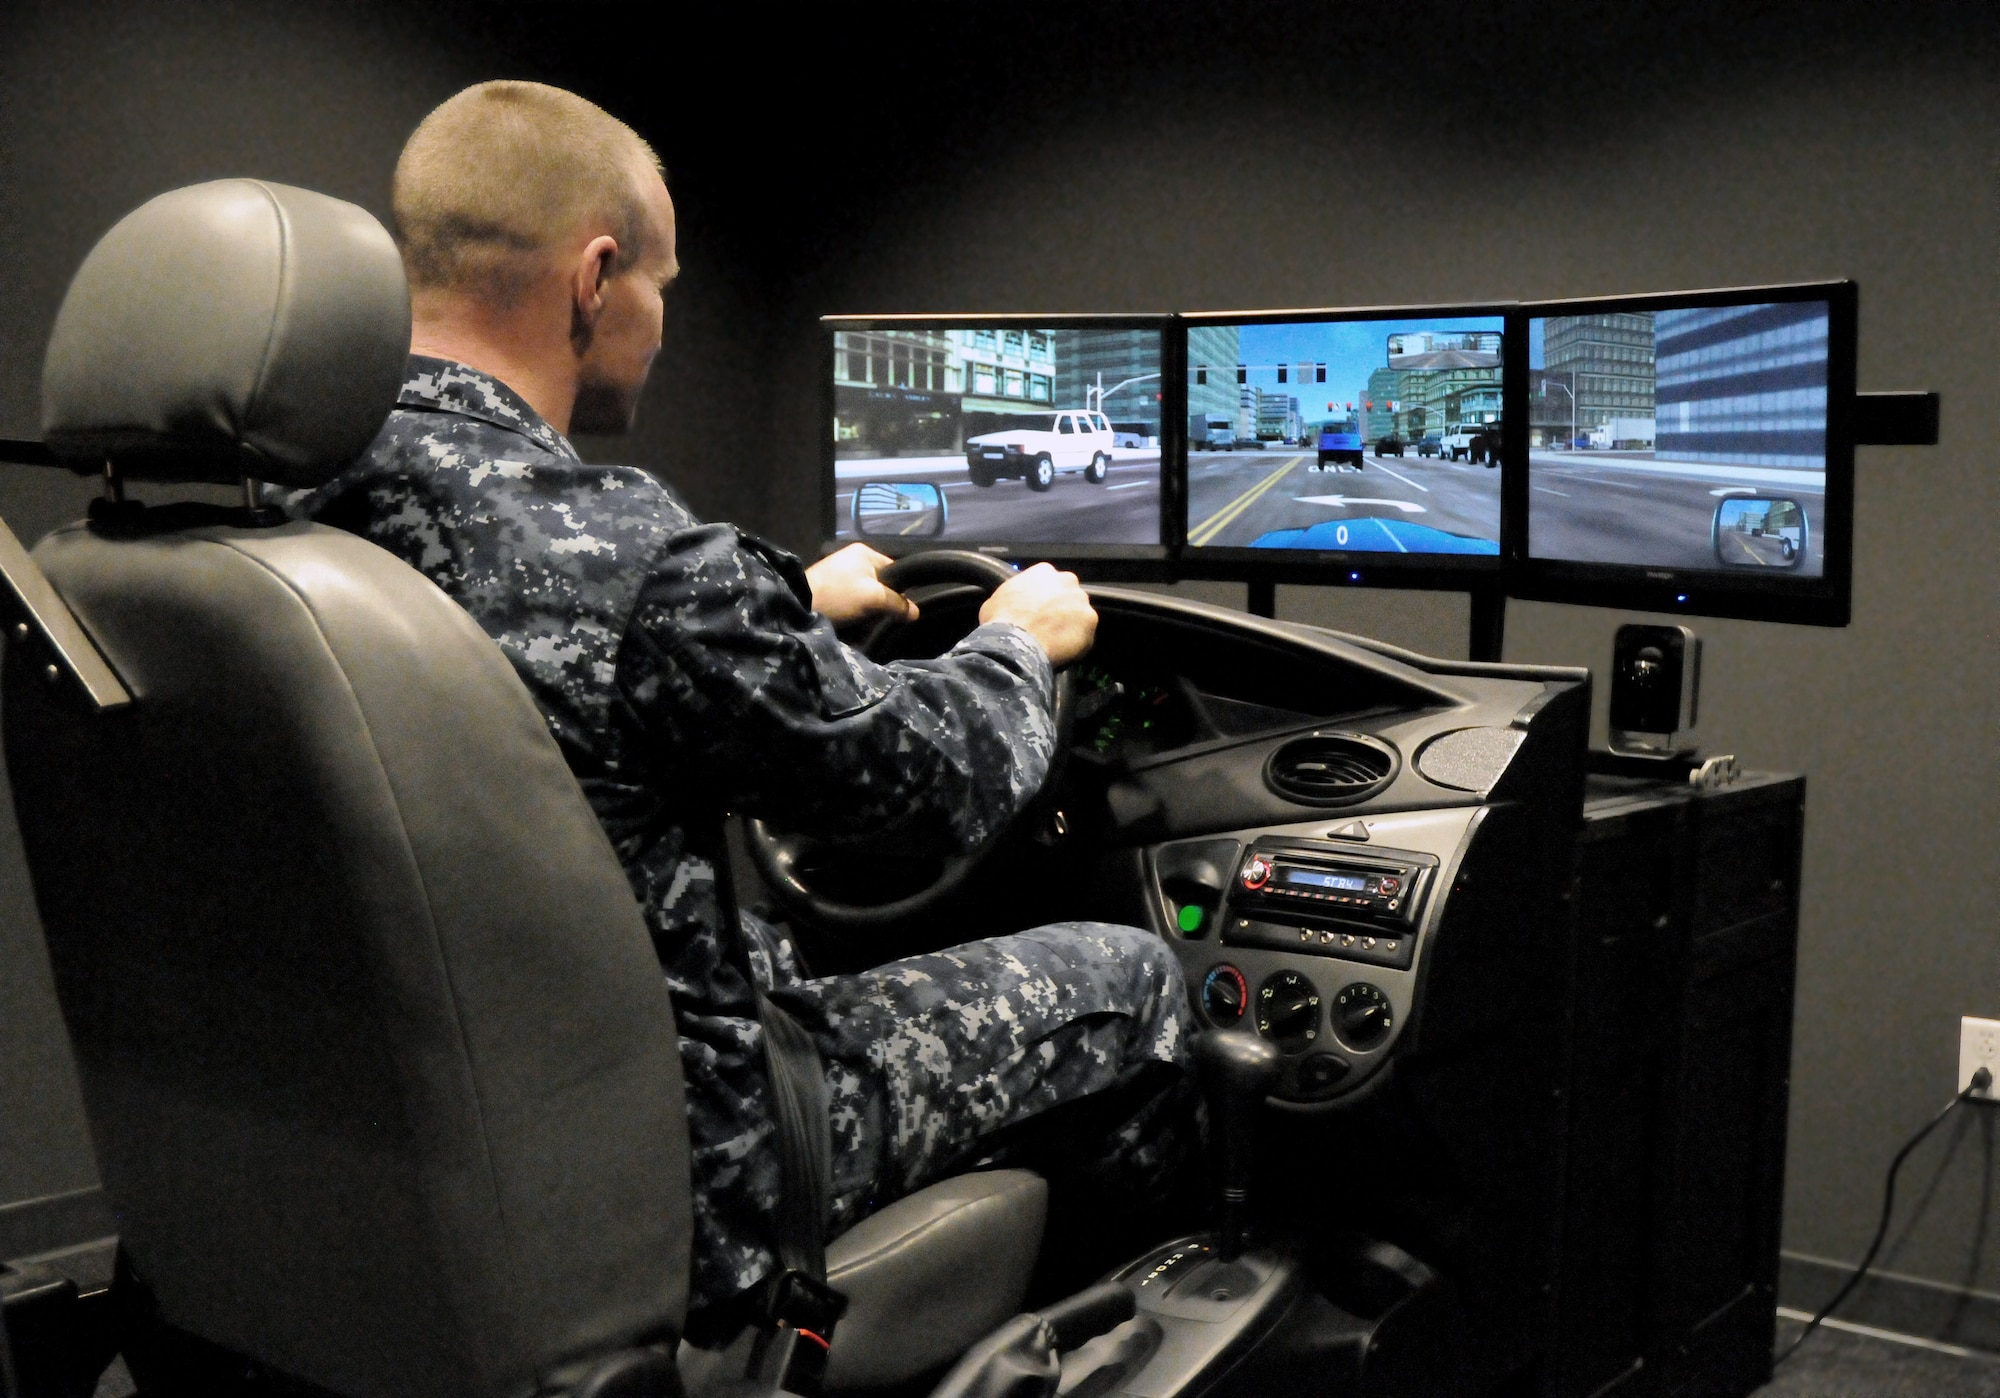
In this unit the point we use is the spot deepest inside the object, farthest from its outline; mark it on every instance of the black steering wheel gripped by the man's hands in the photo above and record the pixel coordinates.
(781, 857)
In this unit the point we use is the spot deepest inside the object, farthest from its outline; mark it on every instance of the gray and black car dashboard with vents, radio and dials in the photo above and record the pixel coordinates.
(1341, 841)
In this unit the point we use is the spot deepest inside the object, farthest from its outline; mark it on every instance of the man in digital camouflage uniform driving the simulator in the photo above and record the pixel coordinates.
(691, 671)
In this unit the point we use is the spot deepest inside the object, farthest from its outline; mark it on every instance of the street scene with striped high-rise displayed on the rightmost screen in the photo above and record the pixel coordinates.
(1681, 439)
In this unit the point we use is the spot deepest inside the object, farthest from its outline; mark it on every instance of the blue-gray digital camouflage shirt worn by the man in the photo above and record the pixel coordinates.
(685, 675)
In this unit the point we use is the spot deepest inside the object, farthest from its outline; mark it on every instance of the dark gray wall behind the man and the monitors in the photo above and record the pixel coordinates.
(1207, 157)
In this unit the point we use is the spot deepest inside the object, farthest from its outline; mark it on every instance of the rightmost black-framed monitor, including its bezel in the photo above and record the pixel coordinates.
(1689, 453)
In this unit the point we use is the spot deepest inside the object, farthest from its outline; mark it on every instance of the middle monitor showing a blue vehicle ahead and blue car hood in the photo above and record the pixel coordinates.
(1345, 447)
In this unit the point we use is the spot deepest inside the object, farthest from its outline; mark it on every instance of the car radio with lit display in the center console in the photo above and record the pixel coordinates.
(1331, 901)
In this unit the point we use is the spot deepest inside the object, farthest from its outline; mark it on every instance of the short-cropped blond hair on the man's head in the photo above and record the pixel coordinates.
(507, 171)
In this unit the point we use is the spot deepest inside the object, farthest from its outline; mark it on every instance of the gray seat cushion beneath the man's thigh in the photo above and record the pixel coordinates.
(933, 1273)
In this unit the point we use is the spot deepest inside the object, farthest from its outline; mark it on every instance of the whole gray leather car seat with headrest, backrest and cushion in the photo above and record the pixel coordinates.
(377, 1055)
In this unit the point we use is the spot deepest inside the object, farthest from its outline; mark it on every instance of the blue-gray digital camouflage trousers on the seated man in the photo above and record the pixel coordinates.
(949, 1061)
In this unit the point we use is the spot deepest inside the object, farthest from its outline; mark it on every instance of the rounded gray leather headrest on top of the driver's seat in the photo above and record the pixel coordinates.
(229, 329)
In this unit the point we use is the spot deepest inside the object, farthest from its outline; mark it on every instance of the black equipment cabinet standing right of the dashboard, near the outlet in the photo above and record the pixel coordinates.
(1677, 1087)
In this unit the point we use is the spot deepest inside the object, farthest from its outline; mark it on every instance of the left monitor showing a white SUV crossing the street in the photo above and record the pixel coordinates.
(1023, 437)
